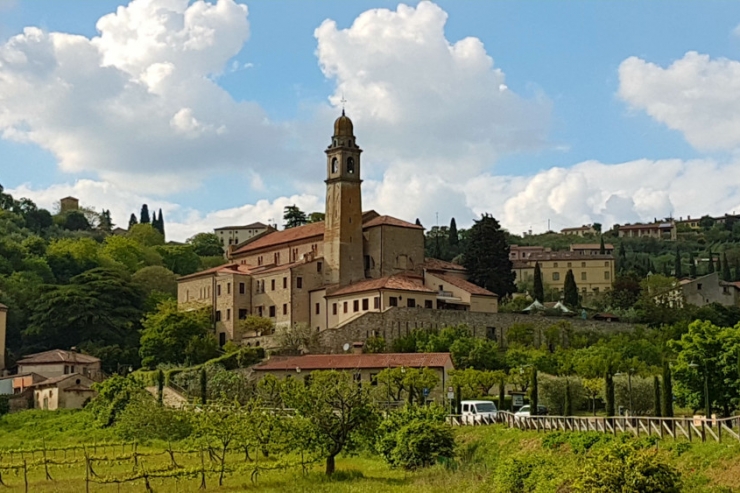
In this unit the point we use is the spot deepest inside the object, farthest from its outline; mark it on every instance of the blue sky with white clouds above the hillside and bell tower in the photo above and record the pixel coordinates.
(540, 113)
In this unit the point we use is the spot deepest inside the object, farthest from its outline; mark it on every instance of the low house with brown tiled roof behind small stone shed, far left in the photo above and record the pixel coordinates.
(59, 362)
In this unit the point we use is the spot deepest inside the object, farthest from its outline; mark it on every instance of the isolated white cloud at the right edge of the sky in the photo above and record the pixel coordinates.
(695, 95)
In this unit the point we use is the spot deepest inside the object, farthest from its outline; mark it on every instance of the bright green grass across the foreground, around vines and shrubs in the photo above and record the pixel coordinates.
(490, 459)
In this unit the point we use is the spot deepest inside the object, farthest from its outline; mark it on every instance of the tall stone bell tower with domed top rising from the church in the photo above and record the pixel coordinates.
(343, 250)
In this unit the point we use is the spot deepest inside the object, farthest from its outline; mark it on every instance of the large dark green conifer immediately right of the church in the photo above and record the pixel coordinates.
(487, 257)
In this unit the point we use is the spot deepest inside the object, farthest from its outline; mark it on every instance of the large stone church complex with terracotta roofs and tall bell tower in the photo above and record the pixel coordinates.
(327, 274)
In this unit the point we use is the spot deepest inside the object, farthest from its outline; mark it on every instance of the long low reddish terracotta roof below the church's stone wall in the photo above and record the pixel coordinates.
(357, 361)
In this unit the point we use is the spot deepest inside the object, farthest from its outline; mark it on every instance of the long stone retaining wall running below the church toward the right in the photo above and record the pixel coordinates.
(398, 322)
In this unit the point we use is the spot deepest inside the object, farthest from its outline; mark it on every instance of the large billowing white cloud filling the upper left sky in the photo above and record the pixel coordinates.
(138, 104)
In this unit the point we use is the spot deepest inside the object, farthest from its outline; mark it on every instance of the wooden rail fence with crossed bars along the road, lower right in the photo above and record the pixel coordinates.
(691, 428)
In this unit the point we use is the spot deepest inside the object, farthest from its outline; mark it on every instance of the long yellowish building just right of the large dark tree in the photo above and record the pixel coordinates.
(593, 273)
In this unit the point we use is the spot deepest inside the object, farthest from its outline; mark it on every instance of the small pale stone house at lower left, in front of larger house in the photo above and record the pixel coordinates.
(65, 392)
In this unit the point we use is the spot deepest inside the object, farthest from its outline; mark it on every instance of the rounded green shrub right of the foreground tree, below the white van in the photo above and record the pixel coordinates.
(421, 443)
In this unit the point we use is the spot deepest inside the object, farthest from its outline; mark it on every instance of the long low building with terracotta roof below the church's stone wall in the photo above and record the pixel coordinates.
(364, 367)
